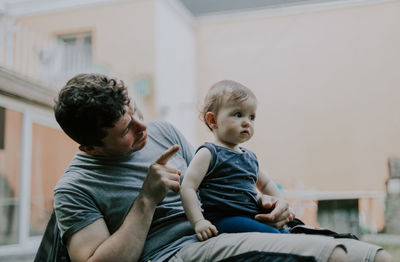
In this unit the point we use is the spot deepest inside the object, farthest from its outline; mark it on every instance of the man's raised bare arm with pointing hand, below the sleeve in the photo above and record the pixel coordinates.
(94, 242)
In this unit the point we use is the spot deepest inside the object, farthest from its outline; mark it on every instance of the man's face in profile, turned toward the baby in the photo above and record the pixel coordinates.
(128, 134)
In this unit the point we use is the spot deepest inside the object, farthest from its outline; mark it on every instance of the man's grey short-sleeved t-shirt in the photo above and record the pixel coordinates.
(106, 187)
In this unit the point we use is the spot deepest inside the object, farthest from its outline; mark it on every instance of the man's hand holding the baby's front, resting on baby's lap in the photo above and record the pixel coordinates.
(278, 210)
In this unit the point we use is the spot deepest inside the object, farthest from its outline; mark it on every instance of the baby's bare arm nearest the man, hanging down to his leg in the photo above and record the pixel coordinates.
(194, 175)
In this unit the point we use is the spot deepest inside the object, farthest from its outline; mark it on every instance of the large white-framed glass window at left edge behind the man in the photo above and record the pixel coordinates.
(33, 158)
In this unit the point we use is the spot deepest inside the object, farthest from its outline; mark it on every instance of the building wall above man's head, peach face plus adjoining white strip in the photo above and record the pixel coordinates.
(138, 40)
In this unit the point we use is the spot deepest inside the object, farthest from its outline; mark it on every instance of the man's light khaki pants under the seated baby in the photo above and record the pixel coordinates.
(320, 247)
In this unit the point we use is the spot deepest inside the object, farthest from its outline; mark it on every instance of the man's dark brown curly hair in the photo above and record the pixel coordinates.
(89, 104)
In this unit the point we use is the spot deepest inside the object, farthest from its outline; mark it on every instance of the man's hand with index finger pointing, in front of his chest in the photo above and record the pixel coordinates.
(160, 178)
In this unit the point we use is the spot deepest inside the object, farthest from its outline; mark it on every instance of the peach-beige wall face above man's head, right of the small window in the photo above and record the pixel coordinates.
(122, 36)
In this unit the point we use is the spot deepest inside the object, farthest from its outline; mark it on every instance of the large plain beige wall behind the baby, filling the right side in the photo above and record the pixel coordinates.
(327, 82)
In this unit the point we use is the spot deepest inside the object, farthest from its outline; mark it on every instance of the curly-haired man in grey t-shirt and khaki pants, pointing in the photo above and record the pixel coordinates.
(119, 200)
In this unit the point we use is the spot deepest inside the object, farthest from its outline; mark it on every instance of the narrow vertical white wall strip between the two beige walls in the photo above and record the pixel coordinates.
(175, 78)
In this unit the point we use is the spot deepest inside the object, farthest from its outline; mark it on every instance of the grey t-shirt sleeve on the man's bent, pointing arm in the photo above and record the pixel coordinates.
(74, 210)
